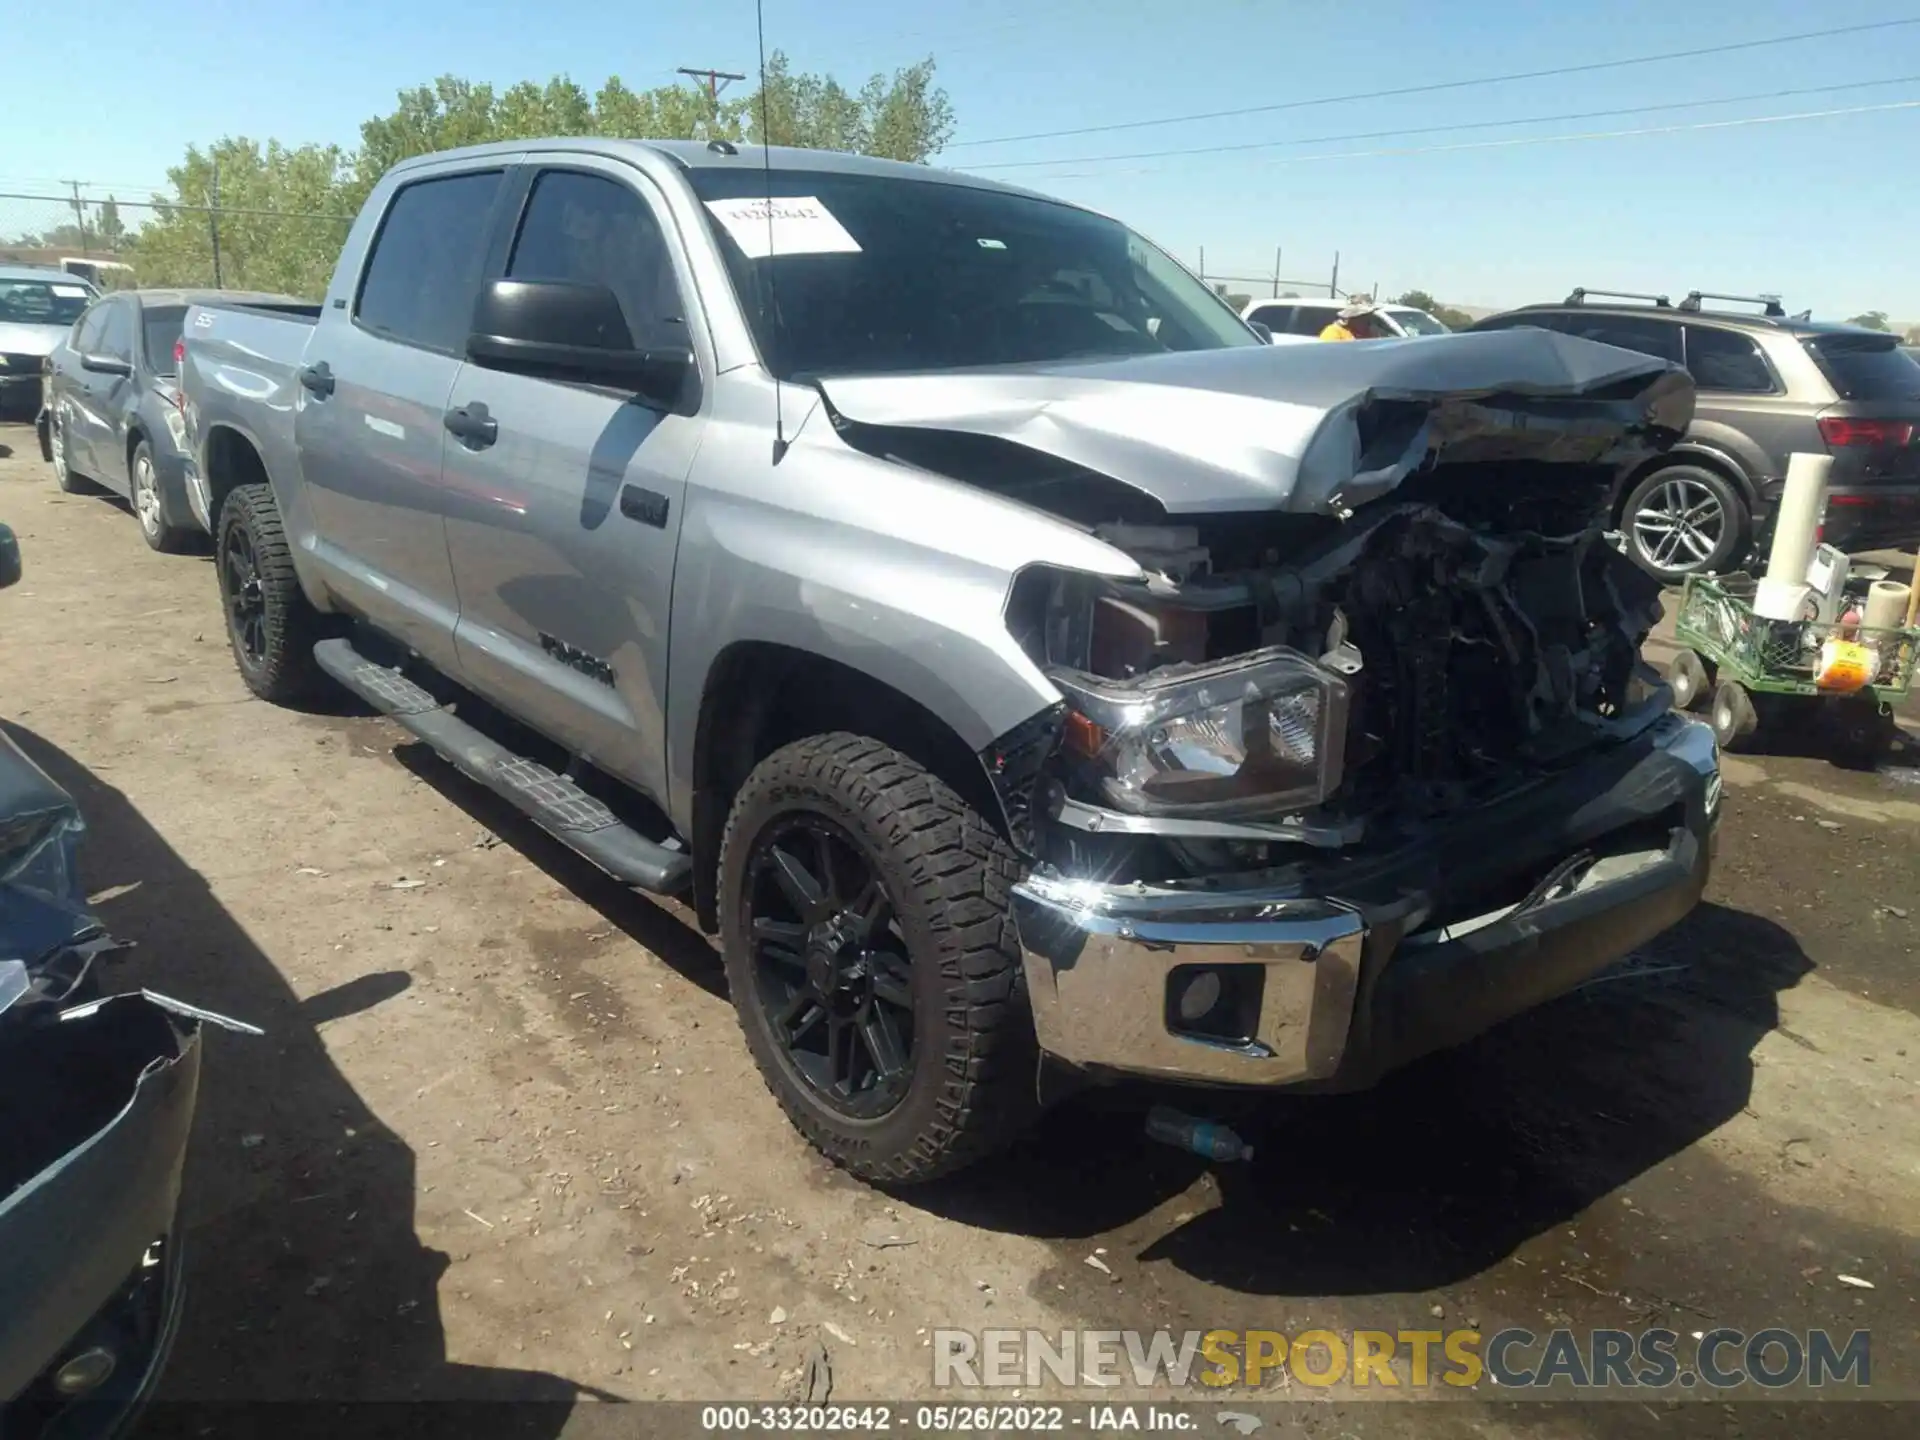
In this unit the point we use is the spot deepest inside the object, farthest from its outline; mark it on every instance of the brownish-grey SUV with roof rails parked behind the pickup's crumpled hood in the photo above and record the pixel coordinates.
(1769, 385)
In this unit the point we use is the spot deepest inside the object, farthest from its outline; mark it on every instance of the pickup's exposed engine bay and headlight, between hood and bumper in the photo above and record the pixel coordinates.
(1458, 638)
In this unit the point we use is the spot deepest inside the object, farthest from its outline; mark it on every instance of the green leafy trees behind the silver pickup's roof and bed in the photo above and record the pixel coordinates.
(308, 197)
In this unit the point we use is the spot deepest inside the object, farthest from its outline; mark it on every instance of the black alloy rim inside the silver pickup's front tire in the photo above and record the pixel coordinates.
(830, 965)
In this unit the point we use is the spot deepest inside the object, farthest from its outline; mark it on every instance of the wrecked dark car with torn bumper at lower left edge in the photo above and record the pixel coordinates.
(97, 1099)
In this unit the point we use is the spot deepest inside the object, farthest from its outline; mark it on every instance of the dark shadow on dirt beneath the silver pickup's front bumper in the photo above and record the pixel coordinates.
(1445, 1168)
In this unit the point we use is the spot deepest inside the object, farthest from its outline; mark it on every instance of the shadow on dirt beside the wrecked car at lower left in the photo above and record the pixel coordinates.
(304, 1274)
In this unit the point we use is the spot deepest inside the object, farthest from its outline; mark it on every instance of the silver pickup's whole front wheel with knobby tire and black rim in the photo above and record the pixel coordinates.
(873, 959)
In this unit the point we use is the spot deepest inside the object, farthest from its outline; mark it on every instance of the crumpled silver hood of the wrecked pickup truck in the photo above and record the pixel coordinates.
(1307, 429)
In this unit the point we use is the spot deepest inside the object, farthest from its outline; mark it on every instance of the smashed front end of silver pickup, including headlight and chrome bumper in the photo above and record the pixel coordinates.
(1335, 784)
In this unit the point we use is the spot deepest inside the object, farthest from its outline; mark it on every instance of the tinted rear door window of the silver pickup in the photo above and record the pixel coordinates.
(425, 268)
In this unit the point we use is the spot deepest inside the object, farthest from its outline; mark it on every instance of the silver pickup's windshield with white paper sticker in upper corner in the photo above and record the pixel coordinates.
(880, 274)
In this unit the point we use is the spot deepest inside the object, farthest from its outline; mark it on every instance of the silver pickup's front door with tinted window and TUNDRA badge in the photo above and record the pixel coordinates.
(569, 496)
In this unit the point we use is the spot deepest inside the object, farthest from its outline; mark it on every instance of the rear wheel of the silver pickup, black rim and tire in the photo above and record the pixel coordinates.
(270, 623)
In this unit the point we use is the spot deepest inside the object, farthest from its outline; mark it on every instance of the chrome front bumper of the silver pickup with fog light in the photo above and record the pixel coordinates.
(1353, 988)
